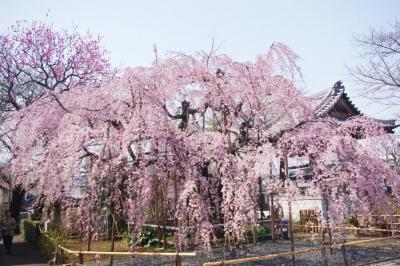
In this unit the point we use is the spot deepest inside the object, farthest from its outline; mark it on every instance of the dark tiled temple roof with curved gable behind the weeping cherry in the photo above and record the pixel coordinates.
(336, 103)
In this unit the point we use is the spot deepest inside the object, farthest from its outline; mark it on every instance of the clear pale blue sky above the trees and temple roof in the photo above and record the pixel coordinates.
(320, 32)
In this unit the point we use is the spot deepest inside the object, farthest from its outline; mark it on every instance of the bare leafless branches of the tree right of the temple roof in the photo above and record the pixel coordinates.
(379, 71)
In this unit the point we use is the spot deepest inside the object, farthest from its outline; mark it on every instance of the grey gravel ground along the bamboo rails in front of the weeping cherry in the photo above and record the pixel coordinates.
(387, 253)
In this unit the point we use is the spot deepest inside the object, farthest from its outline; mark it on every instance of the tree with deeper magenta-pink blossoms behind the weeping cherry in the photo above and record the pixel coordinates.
(36, 60)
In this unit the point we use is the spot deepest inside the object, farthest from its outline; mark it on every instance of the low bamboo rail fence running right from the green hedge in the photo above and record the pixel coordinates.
(81, 253)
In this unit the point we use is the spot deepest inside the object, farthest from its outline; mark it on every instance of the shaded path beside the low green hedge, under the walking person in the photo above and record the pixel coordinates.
(23, 254)
